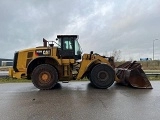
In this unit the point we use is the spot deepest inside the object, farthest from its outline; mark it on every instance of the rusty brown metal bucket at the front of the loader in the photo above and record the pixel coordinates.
(131, 74)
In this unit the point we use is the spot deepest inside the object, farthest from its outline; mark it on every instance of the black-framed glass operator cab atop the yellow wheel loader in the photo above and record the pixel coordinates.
(69, 47)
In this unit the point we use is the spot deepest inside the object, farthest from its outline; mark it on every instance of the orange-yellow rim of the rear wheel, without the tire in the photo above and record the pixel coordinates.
(44, 77)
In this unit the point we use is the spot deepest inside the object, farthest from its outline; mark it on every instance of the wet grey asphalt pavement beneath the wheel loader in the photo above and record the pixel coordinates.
(78, 101)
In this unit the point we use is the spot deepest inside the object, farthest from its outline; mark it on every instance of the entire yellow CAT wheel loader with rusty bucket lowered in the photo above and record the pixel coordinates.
(62, 60)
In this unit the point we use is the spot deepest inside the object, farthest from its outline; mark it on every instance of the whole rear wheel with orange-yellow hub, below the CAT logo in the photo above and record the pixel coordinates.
(44, 77)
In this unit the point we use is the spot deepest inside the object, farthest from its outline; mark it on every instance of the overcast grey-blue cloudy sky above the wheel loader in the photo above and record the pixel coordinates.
(103, 26)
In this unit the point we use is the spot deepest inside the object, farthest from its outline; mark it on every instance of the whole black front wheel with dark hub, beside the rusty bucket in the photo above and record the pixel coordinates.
(102, 76)
